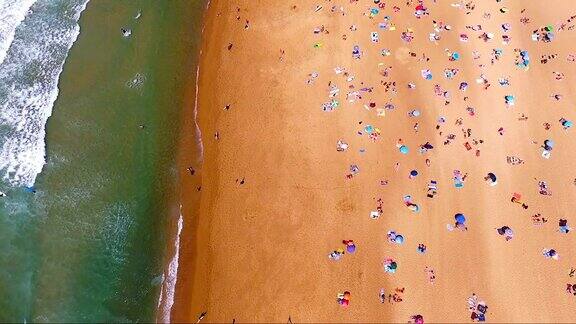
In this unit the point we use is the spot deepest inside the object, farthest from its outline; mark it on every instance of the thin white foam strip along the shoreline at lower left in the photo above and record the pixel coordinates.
(169, 285)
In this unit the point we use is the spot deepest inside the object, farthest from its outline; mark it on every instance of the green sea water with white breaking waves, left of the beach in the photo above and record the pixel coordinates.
(89, 123)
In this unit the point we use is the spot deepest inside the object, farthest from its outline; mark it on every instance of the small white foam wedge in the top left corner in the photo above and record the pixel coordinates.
(12, 12)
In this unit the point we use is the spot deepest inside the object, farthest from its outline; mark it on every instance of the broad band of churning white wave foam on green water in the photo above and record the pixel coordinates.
(29, 77)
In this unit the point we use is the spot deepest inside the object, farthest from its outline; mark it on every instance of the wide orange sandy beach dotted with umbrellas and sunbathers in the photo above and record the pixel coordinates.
(279, 86)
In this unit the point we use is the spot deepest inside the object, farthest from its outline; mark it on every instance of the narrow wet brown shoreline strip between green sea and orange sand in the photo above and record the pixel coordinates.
(189, 155)
